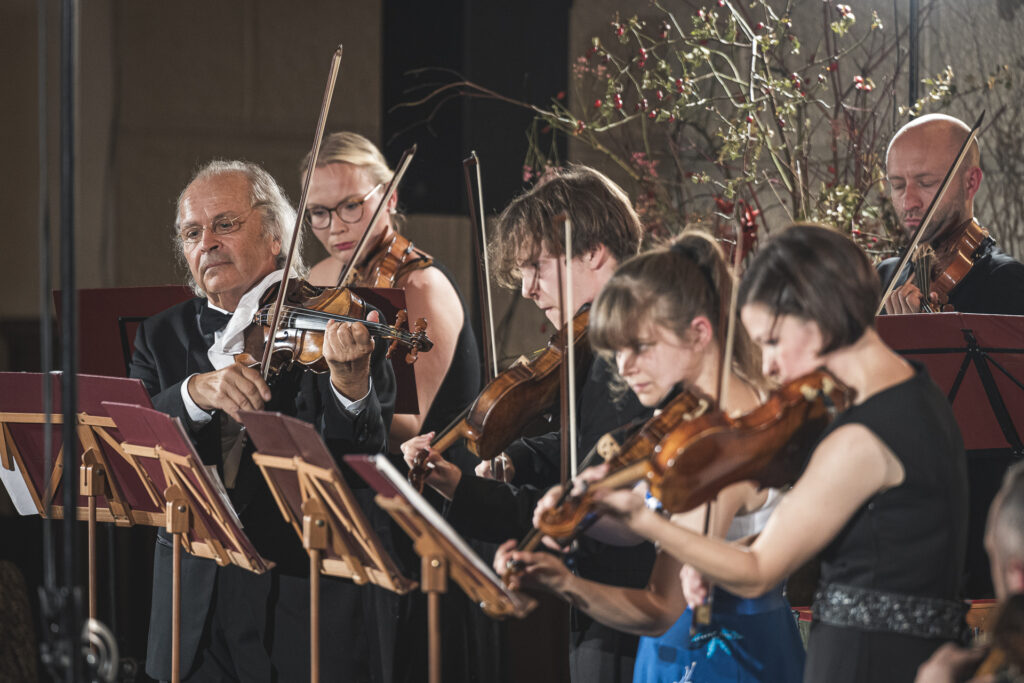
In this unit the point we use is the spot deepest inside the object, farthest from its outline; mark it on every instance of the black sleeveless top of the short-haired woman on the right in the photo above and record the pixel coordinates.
(911, 539)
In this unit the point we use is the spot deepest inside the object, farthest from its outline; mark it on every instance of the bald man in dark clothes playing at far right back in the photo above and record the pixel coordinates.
(918, 159)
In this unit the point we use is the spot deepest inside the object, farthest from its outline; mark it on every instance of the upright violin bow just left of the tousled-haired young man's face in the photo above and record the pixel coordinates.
(478, 219)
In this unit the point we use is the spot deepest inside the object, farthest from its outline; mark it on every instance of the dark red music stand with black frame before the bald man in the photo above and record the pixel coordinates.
(978, 362)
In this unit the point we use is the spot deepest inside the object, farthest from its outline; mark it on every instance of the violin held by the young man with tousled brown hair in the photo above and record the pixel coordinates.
(510, 402)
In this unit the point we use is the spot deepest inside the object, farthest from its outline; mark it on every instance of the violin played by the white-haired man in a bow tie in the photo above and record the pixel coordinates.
(307, 311)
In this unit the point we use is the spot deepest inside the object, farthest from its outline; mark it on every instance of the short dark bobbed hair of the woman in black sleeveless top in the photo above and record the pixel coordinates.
(816, 274)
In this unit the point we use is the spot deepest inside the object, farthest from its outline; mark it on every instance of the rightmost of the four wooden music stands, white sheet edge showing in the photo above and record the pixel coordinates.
(443, 553)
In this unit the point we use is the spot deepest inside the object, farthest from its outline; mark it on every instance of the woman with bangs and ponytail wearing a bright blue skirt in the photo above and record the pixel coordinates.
(662, 318)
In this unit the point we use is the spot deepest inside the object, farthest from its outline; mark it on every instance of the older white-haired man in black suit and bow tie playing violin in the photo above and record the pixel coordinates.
(234, 223)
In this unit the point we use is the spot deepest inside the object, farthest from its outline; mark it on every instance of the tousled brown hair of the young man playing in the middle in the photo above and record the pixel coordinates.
(601, 212)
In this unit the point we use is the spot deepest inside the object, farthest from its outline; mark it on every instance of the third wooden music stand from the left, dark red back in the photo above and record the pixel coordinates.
(315, 499)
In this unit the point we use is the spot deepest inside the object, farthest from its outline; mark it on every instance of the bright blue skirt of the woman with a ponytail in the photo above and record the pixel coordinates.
(748, 642)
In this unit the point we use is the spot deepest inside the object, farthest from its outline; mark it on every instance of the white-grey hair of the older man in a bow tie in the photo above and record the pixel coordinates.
(266, 195)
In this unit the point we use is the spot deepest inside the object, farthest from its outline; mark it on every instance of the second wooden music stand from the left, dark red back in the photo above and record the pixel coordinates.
(197, 511)
